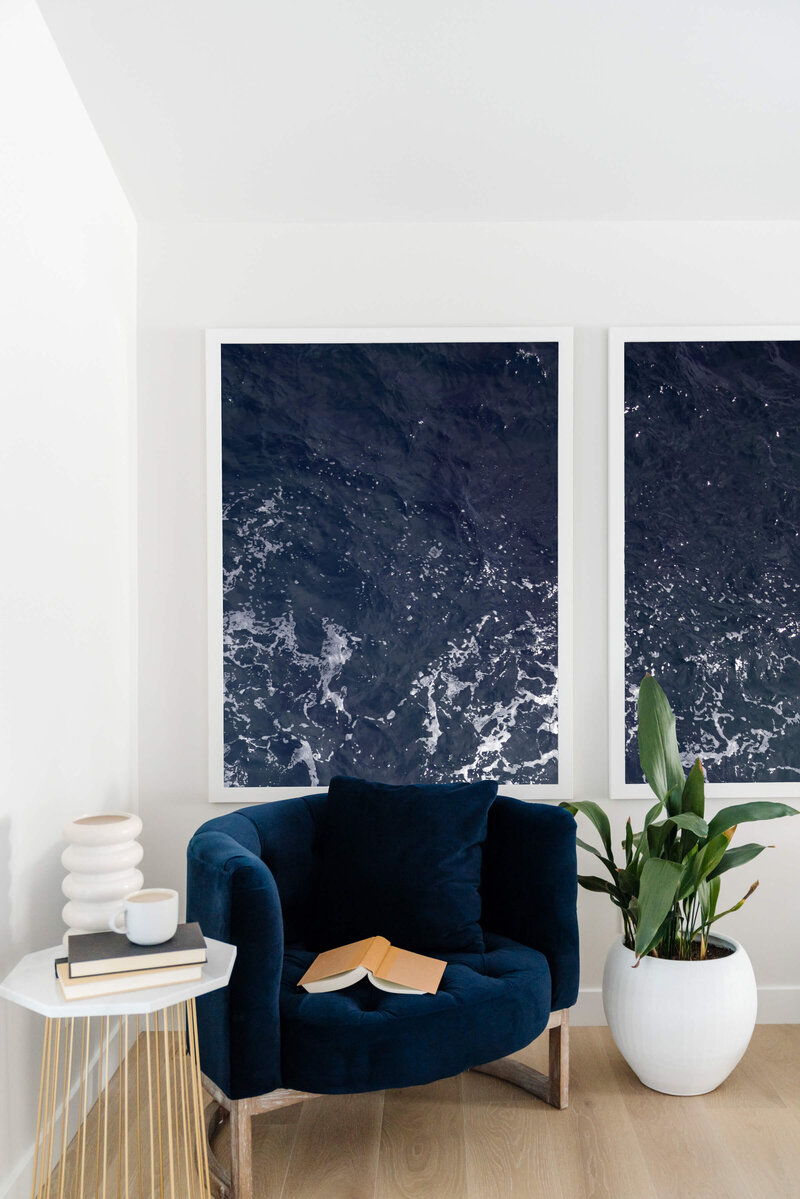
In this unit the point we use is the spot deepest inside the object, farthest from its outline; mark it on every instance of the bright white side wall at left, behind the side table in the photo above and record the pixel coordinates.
(68, 363)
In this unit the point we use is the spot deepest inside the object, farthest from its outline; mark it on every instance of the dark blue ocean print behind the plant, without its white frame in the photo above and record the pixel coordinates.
(713, 551)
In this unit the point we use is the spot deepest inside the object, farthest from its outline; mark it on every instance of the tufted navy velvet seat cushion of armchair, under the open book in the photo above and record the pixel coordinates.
(362, 1039)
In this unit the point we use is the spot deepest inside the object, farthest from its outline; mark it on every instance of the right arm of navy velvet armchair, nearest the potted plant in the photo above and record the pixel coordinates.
(531, 887)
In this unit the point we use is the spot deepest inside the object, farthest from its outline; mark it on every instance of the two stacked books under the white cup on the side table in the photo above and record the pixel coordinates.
(107, 963)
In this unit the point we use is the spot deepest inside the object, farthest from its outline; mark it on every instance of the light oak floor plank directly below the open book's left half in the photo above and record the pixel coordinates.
(336, 1148)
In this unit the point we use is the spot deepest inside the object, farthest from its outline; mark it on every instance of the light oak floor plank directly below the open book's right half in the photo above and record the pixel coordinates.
(423, 1143)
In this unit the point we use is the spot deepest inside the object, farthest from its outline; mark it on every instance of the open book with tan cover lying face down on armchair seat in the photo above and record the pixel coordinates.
(387, 968)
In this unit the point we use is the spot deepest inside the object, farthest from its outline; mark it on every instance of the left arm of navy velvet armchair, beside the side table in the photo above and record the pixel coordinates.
(232, 893)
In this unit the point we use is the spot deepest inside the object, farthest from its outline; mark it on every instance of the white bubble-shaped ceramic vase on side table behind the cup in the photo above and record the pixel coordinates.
(103, 859)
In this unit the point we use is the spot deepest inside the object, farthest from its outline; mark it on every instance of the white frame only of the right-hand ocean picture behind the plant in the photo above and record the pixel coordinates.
(618, 340)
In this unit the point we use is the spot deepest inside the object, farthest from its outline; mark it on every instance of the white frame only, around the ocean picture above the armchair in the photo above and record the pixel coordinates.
(216, 339)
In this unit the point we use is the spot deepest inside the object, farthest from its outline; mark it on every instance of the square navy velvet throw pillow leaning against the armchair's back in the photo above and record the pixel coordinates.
(404, 863)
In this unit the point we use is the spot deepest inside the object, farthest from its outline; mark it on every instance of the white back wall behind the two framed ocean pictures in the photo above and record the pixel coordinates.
(587, 275)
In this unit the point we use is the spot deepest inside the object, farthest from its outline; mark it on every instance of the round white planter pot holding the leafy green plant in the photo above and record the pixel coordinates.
(682, 1027)
